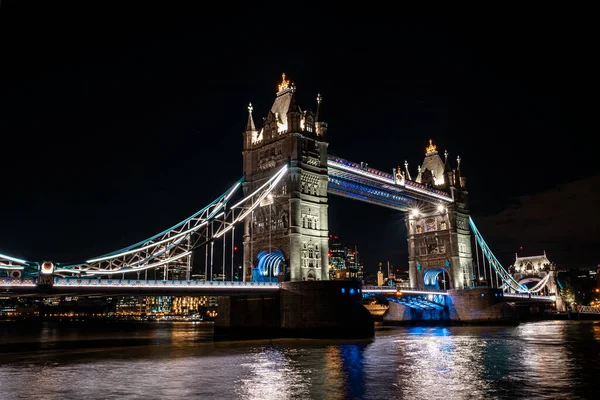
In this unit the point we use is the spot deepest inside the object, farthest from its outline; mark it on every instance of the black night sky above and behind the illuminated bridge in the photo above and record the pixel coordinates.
(119, 122)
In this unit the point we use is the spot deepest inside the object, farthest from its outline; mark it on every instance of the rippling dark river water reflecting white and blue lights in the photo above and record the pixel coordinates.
(541, 360)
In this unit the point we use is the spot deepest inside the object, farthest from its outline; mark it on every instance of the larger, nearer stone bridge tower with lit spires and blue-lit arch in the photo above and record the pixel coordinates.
(287, 237)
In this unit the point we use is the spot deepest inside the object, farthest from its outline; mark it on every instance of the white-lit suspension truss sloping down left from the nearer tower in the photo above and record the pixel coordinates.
(177, 243)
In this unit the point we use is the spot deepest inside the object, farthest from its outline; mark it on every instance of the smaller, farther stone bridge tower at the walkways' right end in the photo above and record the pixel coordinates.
(439, 237)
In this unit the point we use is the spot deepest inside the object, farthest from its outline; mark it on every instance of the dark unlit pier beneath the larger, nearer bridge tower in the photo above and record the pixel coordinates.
(312, 309)
